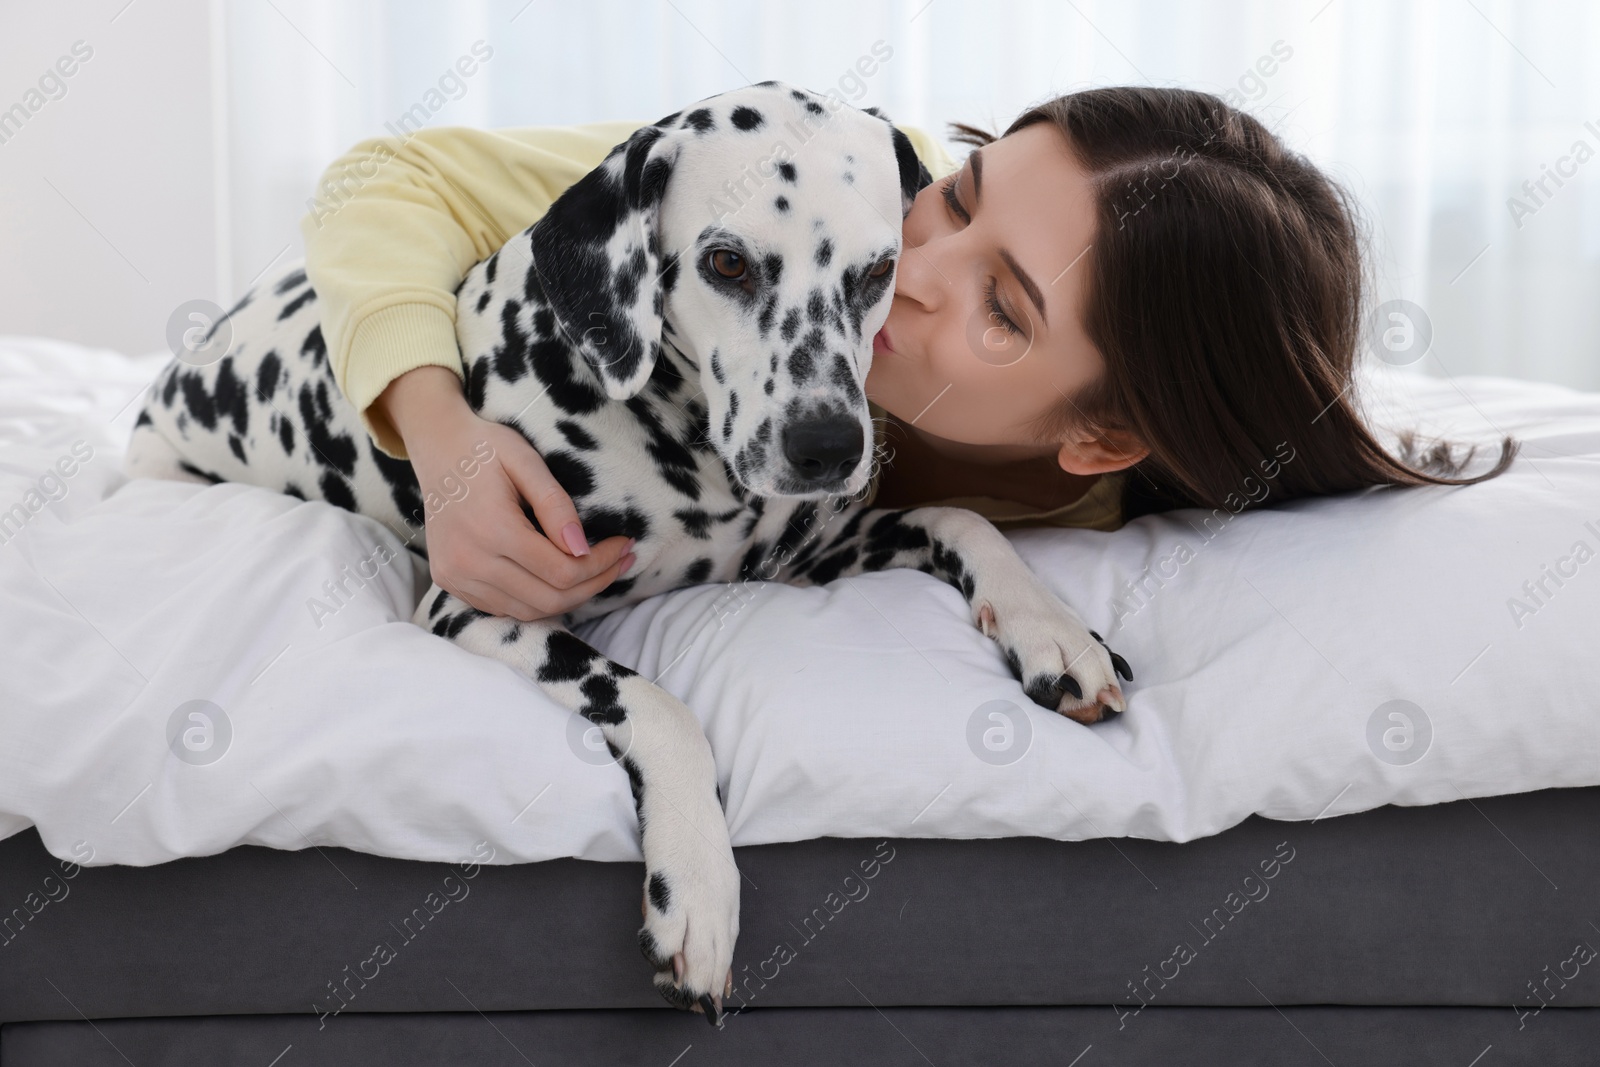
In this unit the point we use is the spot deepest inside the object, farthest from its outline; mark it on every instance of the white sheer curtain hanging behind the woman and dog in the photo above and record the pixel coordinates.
(1434, 113)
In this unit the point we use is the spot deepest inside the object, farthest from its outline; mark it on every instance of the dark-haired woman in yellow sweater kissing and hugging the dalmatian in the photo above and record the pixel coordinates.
(1134, 300)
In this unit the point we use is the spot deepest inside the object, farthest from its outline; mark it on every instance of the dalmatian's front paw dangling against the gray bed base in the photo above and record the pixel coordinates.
(692, 911)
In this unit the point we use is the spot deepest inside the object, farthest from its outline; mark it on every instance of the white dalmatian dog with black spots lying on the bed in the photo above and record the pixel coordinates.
(684, 340)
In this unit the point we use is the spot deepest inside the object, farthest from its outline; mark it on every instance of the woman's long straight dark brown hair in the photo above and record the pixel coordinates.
(1226, 297)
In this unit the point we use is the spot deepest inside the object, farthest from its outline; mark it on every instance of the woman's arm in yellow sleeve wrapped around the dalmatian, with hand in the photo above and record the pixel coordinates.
(393, 231)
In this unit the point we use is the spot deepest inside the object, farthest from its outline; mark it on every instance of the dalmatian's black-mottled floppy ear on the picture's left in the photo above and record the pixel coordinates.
(598, 257)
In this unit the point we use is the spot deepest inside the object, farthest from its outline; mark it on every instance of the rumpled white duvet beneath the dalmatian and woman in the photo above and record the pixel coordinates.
(1393, 647)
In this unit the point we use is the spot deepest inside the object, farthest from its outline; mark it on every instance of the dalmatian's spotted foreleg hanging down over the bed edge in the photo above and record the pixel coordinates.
(692, 884)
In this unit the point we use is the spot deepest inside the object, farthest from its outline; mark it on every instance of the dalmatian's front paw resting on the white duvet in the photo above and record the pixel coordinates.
(1062, 663)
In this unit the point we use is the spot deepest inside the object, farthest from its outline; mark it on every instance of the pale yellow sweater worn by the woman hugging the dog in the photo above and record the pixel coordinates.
(398, 223)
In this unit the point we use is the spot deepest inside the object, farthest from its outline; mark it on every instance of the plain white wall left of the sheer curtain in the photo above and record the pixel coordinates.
(108, 215)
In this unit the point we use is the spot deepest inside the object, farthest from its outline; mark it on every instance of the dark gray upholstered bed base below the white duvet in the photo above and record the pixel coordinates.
(1460, 933)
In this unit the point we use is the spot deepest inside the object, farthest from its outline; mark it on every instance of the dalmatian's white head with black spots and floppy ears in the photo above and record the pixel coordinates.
(758, 233)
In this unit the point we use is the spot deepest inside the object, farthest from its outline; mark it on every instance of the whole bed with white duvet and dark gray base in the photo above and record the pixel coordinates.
(1346, 820)
